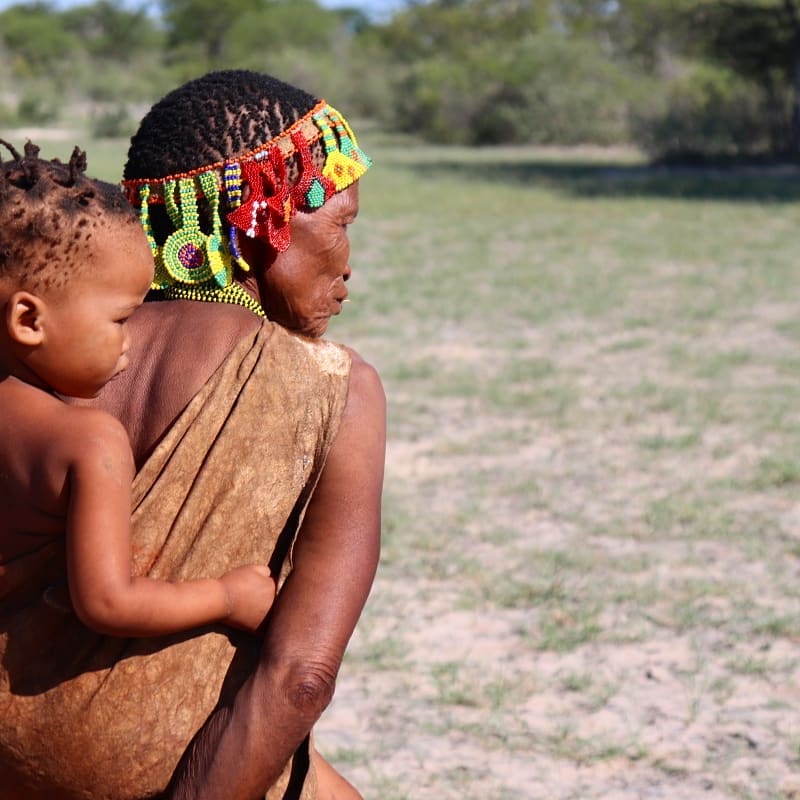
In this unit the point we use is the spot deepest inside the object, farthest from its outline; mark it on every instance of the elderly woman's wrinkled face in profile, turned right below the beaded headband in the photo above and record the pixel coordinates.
(304, 286)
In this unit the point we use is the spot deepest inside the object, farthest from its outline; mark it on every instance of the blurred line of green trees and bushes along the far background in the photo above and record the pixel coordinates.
(679, 78)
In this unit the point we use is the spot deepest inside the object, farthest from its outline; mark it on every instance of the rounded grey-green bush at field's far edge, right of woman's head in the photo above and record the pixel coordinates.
(543, 89)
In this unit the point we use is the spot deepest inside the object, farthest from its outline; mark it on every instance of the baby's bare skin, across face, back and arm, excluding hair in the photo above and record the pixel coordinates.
(68, 470)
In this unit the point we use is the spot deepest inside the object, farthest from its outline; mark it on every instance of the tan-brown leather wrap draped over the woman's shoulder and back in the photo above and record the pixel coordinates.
(89, 716)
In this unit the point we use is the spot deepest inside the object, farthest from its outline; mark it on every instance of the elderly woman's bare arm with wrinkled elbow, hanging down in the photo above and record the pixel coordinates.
(243, 748)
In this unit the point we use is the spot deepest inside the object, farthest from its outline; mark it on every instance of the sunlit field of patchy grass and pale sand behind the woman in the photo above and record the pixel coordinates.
(589, 582)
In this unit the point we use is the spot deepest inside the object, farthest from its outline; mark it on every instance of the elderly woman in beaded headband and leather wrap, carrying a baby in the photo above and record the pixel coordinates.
(253, 444)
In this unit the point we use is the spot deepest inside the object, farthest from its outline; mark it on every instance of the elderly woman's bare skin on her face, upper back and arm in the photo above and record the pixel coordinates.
(243, 747)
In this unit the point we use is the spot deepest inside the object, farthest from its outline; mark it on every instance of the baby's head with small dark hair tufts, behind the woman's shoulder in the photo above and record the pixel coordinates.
(74, 265)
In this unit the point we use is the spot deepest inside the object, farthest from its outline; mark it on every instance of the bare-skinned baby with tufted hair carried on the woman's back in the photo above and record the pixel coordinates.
(74, 265)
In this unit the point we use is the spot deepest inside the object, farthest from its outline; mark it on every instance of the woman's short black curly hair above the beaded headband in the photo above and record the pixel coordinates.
(219, 116)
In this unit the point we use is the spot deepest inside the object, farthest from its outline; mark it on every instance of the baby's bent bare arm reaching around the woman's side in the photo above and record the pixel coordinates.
(104, 594)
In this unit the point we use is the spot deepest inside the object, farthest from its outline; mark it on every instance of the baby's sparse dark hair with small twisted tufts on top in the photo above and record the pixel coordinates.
(48, 214)
